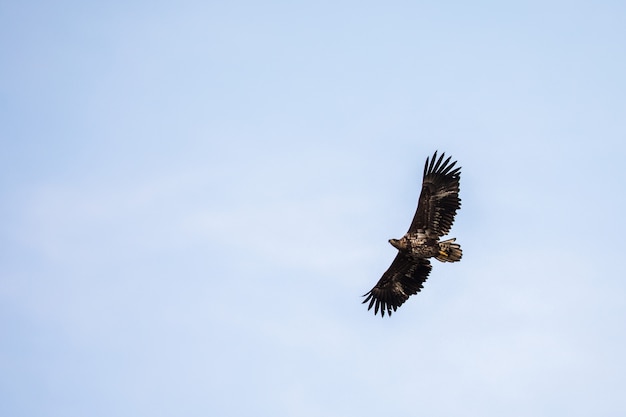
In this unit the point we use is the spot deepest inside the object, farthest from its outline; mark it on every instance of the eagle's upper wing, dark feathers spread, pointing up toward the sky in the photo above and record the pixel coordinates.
(439, 199)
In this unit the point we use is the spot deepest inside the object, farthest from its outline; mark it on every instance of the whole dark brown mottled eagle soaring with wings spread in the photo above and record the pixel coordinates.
(437, 205)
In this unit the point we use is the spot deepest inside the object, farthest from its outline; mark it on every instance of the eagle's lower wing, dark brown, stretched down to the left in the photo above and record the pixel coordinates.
(404, 278)
